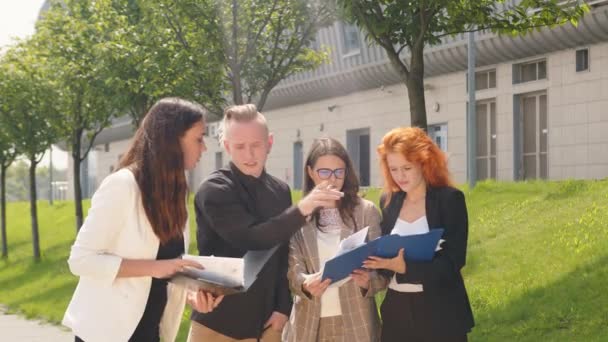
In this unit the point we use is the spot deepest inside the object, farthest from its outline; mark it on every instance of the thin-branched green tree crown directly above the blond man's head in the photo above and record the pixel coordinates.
(259, 43)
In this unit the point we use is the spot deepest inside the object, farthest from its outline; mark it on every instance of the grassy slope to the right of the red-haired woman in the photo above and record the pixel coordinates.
(536, 265)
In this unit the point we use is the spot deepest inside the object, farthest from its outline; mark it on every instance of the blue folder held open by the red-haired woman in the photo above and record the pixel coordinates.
(419, 247)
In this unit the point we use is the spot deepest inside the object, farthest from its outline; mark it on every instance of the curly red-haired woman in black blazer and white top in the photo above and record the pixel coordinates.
(425, 301)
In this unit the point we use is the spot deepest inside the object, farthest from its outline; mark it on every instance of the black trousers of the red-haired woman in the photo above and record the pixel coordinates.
(407, 317)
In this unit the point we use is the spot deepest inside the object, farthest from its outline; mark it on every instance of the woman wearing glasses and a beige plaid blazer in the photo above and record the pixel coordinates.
(345, 311)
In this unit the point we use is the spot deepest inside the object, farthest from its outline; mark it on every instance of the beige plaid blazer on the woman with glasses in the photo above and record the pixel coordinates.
(359, 312)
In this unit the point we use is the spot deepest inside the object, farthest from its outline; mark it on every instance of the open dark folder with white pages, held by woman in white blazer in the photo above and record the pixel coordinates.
(222, 275)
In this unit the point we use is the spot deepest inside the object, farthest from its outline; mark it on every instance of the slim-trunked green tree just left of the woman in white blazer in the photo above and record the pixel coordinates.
(74, 35)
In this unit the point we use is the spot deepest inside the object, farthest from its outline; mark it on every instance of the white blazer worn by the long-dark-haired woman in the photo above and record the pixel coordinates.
(106, 308)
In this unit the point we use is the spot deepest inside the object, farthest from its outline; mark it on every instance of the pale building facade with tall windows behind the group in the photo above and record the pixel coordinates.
(542, 106)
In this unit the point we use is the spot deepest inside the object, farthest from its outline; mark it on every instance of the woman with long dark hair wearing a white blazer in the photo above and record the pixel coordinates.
(136, 232)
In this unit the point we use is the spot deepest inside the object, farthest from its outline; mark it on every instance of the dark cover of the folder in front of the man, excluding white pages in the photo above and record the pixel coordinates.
(217, 283)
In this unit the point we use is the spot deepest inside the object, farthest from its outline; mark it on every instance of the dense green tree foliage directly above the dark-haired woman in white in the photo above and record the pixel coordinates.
(144, 62)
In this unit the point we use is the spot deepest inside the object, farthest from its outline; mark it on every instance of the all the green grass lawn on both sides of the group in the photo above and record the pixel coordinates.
(536, 267)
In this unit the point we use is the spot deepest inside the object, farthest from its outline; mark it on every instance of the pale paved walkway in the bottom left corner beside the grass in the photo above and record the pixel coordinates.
(15, 328)
